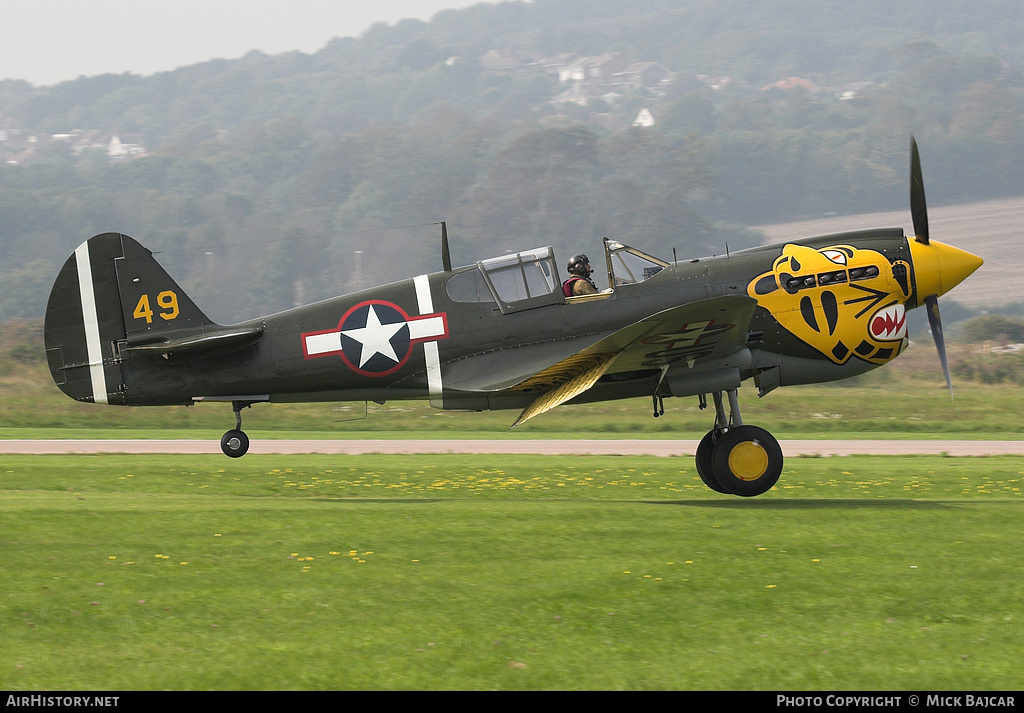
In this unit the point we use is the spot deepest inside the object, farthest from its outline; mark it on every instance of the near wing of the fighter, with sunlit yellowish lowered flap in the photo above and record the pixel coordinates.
(694, 338)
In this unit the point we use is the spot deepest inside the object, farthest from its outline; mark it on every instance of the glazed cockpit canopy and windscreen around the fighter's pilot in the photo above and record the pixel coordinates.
(531, 279)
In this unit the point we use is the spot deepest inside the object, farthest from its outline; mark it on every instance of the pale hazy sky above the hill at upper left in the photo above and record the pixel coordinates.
(51, 41)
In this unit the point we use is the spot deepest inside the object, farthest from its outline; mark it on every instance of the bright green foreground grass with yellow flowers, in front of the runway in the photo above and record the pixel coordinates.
(507, 573)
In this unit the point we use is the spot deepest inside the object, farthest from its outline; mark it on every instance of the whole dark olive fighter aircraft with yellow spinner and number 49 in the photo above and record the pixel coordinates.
(501, 334)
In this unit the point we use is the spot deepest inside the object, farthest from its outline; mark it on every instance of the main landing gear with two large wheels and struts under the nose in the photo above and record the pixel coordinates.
(737, 459)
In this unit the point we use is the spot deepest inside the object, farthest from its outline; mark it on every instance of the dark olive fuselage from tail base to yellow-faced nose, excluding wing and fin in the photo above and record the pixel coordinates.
(827, 309)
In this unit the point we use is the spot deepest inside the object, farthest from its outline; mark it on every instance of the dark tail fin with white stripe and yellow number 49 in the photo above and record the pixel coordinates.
(111, 292)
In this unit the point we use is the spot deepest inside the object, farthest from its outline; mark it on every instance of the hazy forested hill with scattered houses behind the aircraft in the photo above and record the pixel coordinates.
(269, 181)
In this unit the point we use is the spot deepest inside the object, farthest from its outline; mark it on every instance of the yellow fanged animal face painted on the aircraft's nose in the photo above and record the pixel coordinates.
(841, 301)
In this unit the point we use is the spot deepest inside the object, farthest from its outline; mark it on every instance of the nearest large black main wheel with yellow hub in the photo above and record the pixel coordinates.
(748, 462)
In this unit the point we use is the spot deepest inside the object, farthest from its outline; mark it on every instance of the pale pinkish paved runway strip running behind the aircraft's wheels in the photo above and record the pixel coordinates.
(582, 447)
